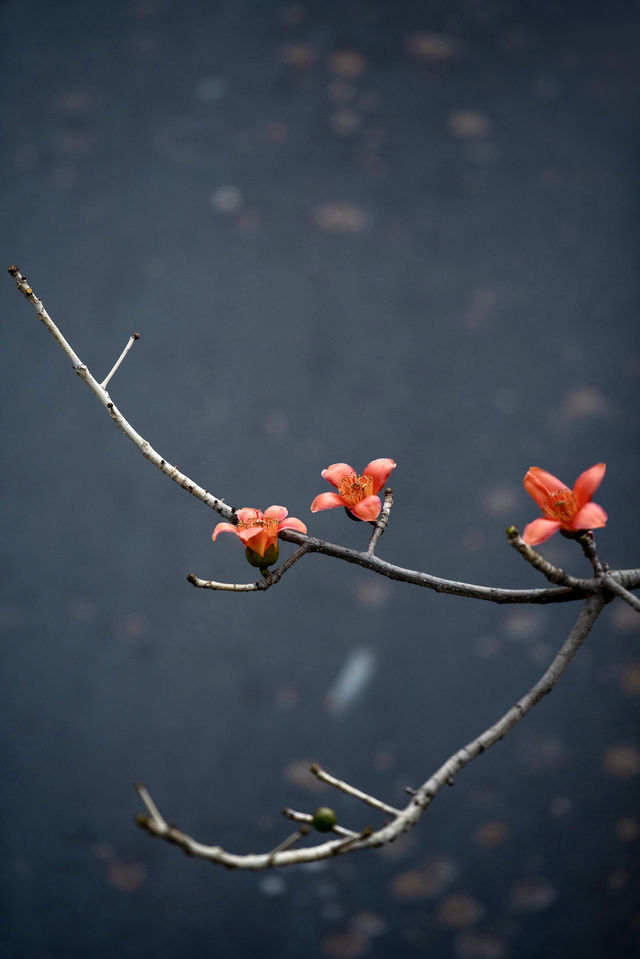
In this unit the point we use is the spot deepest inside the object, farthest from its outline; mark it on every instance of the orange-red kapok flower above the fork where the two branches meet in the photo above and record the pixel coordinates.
(570, 510)
